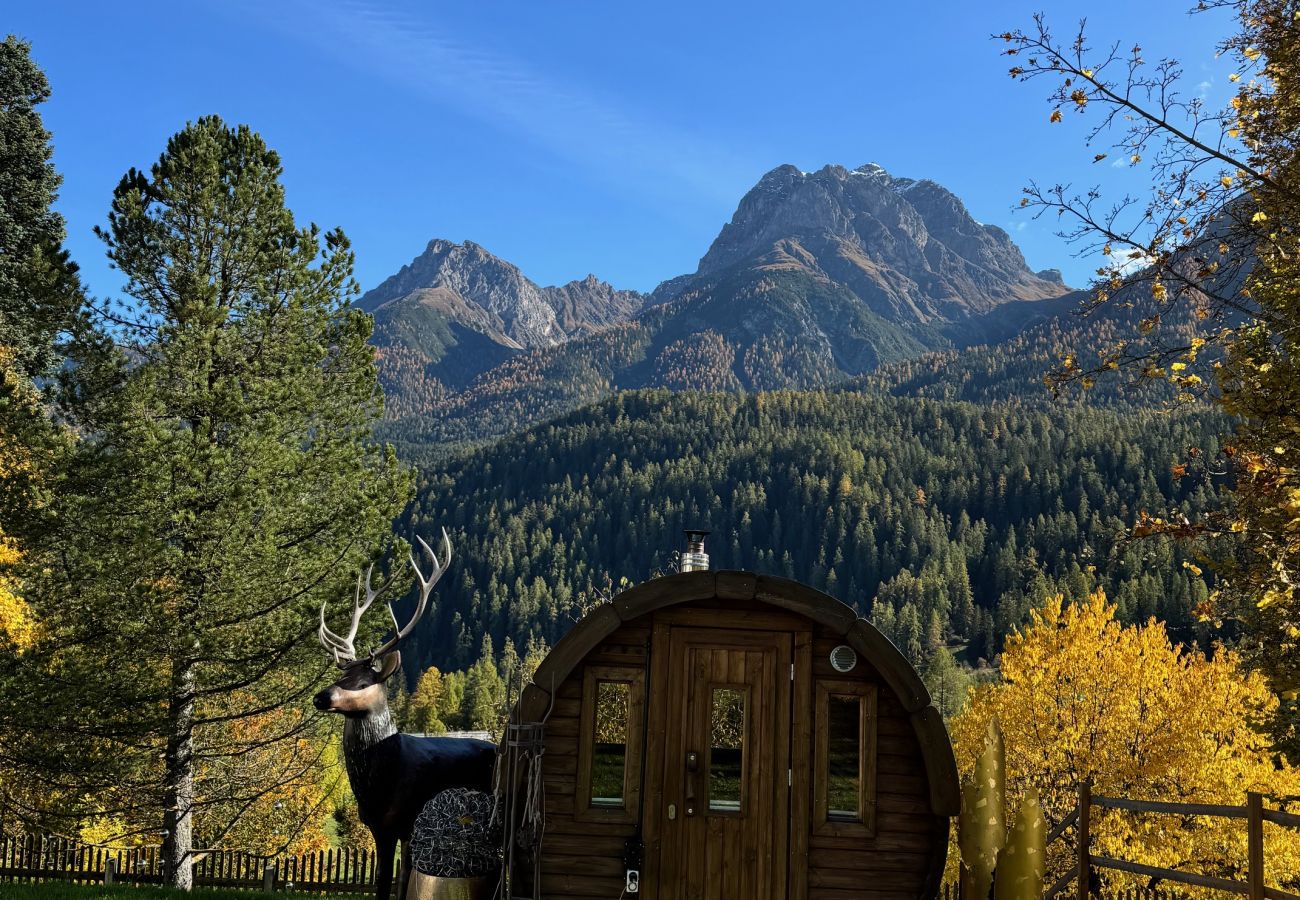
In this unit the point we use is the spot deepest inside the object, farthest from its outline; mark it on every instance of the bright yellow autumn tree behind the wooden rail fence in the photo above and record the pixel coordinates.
(1084, 698)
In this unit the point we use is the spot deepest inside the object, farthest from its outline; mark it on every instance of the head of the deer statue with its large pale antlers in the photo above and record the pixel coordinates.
(361, 693)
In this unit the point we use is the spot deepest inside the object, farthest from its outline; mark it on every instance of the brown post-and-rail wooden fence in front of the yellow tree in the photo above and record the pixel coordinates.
(1255, 814)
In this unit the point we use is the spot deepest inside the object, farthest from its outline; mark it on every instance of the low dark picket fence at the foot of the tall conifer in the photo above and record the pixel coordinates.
(47, 859)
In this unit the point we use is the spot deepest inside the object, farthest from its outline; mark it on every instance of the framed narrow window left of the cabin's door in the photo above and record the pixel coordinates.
(610, 751)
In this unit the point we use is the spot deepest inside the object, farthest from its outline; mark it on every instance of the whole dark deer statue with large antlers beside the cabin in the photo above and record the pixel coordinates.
(393, 776)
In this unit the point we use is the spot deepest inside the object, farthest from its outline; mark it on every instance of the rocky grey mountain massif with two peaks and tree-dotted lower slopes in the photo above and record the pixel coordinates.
(820, 278)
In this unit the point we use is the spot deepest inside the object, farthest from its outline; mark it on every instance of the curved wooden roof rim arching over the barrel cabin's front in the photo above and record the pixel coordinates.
(783, 594)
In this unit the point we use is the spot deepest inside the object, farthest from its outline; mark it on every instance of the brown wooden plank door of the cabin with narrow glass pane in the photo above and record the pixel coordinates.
(723, 816)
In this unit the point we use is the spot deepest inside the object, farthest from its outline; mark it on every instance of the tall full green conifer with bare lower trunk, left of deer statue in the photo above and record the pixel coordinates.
(222, 494)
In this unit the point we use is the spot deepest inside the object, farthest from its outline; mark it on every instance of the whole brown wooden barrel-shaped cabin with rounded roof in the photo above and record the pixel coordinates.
(722, 735)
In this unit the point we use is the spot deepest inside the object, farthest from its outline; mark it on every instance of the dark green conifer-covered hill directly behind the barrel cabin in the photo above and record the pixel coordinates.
(957, 517)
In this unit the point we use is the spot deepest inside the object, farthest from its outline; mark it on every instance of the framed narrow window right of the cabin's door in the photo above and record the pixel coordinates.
(844, 776)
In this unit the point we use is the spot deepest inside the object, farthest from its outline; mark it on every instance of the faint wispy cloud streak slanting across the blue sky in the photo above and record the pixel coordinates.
(575, 123)
